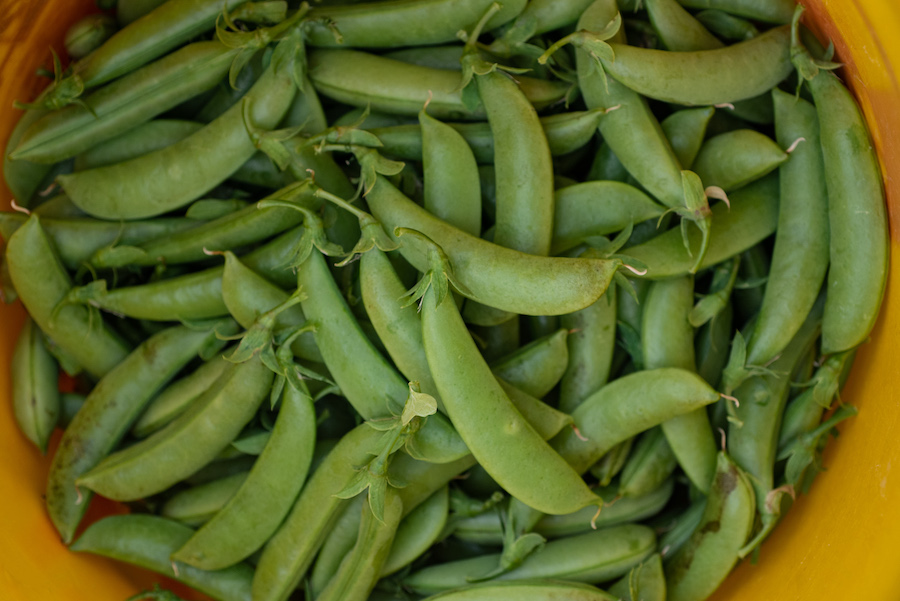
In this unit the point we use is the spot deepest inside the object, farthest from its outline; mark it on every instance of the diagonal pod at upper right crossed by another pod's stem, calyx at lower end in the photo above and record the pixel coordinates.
(631, 131)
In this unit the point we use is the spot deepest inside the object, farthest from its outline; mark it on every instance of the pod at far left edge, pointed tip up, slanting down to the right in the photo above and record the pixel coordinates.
(41, 282)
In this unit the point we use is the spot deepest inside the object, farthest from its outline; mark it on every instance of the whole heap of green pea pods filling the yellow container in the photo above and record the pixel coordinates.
(445, 299)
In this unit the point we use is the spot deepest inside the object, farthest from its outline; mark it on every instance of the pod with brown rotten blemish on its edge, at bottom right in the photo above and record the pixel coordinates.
(699, 567)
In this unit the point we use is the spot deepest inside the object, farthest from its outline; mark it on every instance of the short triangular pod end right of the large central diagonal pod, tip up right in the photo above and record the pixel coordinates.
(536, 367)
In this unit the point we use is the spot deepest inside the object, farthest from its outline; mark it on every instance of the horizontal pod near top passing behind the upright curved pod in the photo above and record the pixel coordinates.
(360, 79)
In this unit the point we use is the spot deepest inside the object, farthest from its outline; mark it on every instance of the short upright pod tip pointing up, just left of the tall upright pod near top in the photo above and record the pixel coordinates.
(452, 190)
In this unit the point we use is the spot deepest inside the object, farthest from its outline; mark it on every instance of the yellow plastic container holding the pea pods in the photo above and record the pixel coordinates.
(842, 541)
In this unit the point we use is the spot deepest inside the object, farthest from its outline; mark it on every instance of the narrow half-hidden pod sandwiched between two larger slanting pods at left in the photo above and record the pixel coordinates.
(177, 397)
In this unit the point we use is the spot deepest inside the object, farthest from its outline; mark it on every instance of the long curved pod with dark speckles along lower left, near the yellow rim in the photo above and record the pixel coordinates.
(108, 412)
